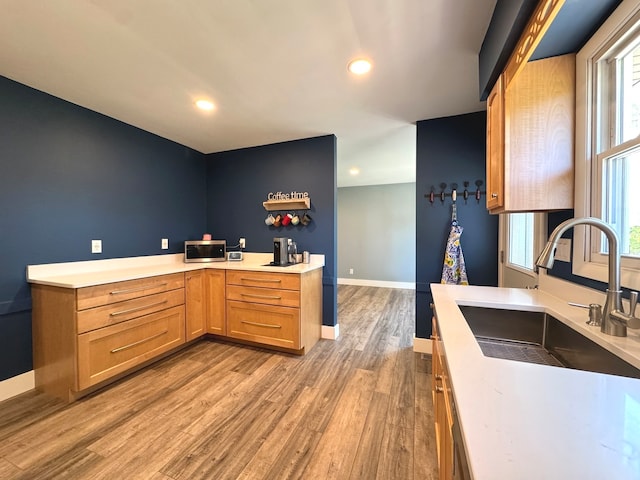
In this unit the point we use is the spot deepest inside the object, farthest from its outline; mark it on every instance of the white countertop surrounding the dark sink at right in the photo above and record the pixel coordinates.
(523, 421)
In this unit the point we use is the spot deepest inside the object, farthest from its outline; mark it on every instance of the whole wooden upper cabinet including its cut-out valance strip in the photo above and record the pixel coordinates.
(530, 126)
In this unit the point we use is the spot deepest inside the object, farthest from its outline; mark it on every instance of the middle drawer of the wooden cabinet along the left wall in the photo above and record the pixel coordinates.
(122, 311)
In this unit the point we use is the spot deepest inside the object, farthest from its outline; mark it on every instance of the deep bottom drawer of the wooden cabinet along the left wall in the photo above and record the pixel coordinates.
(111, 350)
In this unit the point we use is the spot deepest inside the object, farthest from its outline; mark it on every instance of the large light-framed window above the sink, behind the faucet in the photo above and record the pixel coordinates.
(608, 144)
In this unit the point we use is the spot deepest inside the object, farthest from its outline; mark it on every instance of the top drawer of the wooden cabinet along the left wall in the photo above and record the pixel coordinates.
(98, 295)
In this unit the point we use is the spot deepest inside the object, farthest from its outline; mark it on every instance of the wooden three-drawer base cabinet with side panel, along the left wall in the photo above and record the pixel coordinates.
(83, 337)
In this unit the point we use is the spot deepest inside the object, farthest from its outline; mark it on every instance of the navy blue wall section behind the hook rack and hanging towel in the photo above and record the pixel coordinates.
(451, 150)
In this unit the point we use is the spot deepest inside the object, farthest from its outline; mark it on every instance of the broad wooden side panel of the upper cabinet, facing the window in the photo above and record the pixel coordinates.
(539, 136)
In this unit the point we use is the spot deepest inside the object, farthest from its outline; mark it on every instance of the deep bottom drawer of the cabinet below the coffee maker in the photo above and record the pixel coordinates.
(279, 326)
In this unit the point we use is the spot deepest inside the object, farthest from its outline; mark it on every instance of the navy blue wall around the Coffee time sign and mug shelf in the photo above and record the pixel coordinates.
(239, 181)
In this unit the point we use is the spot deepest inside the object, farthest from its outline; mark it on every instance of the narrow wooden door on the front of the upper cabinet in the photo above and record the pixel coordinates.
(495, 146)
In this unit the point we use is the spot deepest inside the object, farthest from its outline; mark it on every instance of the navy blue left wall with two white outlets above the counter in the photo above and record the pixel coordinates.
(69, 175)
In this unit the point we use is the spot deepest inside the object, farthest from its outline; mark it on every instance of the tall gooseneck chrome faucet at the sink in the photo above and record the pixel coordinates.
(614, 320)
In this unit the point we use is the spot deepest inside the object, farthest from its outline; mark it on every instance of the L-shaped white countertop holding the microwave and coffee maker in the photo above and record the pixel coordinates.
(97, 272)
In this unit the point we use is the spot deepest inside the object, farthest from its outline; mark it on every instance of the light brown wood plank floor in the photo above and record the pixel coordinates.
(359, 407)
